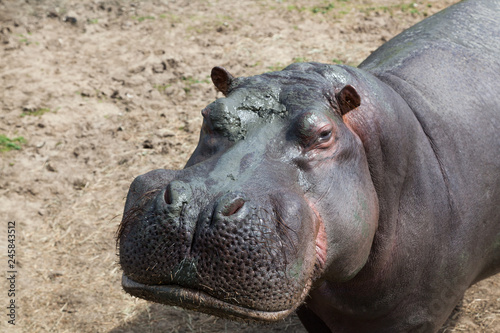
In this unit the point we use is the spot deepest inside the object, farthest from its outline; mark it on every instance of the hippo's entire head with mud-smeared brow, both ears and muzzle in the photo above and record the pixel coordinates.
(276, 198)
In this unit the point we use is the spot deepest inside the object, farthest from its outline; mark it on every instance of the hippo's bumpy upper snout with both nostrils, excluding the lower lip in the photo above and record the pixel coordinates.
(233, 246)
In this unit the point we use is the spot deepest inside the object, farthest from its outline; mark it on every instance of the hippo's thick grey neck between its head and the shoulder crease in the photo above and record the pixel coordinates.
(403, 168)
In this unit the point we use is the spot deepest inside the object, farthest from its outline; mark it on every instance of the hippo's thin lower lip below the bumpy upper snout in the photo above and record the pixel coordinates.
(200, 301)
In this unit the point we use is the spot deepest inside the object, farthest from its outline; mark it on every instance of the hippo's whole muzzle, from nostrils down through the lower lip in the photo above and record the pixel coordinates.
(231, 256)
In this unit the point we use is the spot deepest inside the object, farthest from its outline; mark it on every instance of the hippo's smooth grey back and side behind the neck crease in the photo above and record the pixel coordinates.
(431, 65)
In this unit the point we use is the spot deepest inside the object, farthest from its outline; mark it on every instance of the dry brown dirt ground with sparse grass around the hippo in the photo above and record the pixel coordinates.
(95, 93)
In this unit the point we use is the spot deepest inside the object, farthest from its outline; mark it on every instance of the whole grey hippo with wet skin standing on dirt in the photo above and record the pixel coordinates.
(366, 199)
